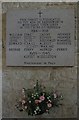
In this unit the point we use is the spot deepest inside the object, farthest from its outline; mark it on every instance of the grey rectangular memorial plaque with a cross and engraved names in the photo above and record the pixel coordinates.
(42, 37)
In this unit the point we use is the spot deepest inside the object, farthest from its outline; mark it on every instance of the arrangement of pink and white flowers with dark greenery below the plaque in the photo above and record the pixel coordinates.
(37, 101)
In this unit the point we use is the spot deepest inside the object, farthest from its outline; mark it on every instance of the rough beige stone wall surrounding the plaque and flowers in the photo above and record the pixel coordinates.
(62, 79)
